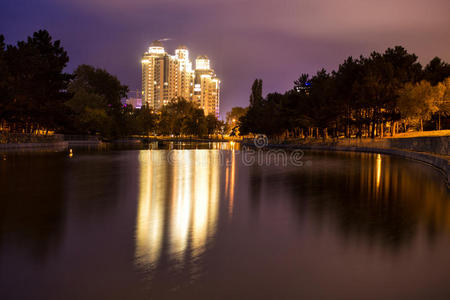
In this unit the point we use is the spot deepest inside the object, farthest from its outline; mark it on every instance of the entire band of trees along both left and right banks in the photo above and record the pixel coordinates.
(364, 96)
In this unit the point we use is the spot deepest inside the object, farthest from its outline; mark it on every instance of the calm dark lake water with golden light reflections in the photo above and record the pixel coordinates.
(201, 224)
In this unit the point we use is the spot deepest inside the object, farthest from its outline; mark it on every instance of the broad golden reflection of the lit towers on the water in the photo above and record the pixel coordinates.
(178, 205)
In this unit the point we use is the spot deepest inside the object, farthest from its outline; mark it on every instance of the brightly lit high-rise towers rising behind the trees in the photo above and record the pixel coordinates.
(166, 76)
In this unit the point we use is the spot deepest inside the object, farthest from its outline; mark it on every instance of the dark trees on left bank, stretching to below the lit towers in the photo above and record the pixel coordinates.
(36, 94)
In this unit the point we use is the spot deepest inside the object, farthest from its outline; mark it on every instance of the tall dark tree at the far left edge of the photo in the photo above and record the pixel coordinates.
(36, 83)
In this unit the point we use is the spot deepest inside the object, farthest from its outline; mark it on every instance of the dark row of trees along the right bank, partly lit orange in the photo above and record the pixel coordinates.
(363, 97)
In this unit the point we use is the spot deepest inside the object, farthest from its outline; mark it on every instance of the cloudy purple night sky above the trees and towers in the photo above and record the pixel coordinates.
(272, 40)
